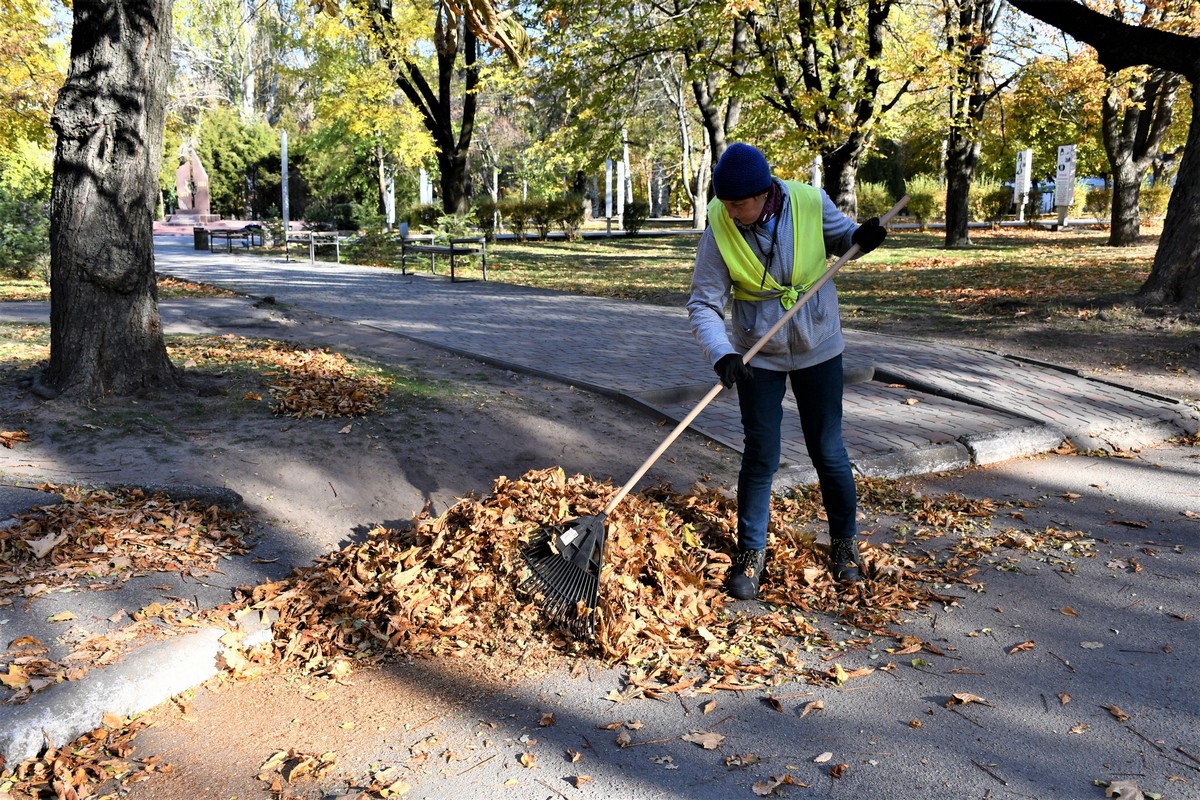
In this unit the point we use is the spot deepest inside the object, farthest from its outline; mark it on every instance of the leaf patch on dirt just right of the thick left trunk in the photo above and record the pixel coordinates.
(303, 383)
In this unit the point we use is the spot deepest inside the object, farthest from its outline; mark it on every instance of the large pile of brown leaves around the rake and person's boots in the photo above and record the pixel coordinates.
(452, 586)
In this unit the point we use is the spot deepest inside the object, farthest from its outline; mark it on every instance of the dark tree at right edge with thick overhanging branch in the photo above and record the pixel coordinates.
(1175, 275)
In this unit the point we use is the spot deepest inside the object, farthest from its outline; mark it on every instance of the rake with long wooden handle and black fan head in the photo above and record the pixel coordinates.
(566, 560)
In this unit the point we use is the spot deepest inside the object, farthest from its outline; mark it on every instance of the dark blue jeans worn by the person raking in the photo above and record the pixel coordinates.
(819, 400)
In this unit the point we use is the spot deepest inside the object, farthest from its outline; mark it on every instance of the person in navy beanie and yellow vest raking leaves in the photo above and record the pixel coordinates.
(767, 243)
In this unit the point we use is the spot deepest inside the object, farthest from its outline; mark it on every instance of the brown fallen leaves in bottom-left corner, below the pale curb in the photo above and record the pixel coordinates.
(104, 757)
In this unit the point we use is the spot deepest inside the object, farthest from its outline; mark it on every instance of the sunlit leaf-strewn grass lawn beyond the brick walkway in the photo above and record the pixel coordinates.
(910, 278)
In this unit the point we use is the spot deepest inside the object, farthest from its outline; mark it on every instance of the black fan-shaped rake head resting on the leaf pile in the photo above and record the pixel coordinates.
(565, 572)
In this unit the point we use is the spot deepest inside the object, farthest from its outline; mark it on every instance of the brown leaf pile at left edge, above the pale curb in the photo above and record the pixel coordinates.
(100, 538)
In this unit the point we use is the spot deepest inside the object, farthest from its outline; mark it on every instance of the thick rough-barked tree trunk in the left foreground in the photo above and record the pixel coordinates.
(106, 338)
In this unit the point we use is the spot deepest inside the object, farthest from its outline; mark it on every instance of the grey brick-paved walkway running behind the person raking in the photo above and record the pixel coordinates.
(911, 406)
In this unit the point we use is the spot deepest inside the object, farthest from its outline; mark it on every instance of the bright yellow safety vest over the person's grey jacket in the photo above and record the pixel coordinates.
(751, 281)
